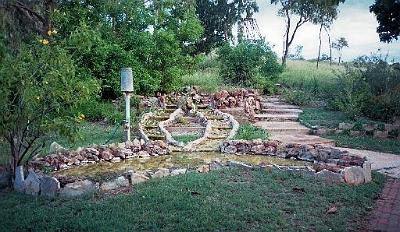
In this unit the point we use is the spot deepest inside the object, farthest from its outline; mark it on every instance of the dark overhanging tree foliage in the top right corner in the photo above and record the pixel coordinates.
(387, 13)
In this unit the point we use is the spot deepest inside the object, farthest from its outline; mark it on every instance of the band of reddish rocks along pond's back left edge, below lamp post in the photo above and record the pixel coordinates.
(105, 153)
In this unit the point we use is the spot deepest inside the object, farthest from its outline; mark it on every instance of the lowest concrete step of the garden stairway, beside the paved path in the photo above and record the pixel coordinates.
(302, 139)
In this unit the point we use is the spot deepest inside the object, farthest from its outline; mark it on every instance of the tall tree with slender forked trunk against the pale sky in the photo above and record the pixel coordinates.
(307, 11)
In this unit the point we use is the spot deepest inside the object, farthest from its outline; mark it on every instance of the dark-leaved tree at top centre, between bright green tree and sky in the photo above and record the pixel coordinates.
(218, 18)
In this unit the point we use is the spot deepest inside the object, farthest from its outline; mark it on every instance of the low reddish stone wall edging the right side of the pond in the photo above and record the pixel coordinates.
(328, 162)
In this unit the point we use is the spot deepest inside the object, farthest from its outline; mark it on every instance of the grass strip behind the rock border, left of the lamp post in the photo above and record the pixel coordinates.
(90, 133)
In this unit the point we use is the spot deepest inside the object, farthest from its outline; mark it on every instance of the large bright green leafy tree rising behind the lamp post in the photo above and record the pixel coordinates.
(105, 36)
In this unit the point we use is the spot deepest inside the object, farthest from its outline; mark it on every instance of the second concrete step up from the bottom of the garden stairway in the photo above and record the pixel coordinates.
(283, 127)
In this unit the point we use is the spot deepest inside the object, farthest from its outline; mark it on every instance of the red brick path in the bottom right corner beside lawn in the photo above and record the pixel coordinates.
(386, 213)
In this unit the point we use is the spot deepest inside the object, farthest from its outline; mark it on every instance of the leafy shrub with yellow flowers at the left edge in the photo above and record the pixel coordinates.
(39, 91)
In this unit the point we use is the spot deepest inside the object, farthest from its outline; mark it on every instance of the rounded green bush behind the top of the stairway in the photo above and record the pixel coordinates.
(247, 64)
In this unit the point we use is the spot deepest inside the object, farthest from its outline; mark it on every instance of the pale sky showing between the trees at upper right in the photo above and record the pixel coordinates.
(354, 22)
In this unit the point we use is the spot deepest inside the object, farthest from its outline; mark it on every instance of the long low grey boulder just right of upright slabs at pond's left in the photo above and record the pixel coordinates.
(78, 188)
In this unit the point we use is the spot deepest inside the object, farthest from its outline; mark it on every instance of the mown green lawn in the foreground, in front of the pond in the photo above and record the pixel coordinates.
(225, 200)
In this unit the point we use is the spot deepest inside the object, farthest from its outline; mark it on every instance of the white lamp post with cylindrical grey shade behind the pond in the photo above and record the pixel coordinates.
(127, 89)
